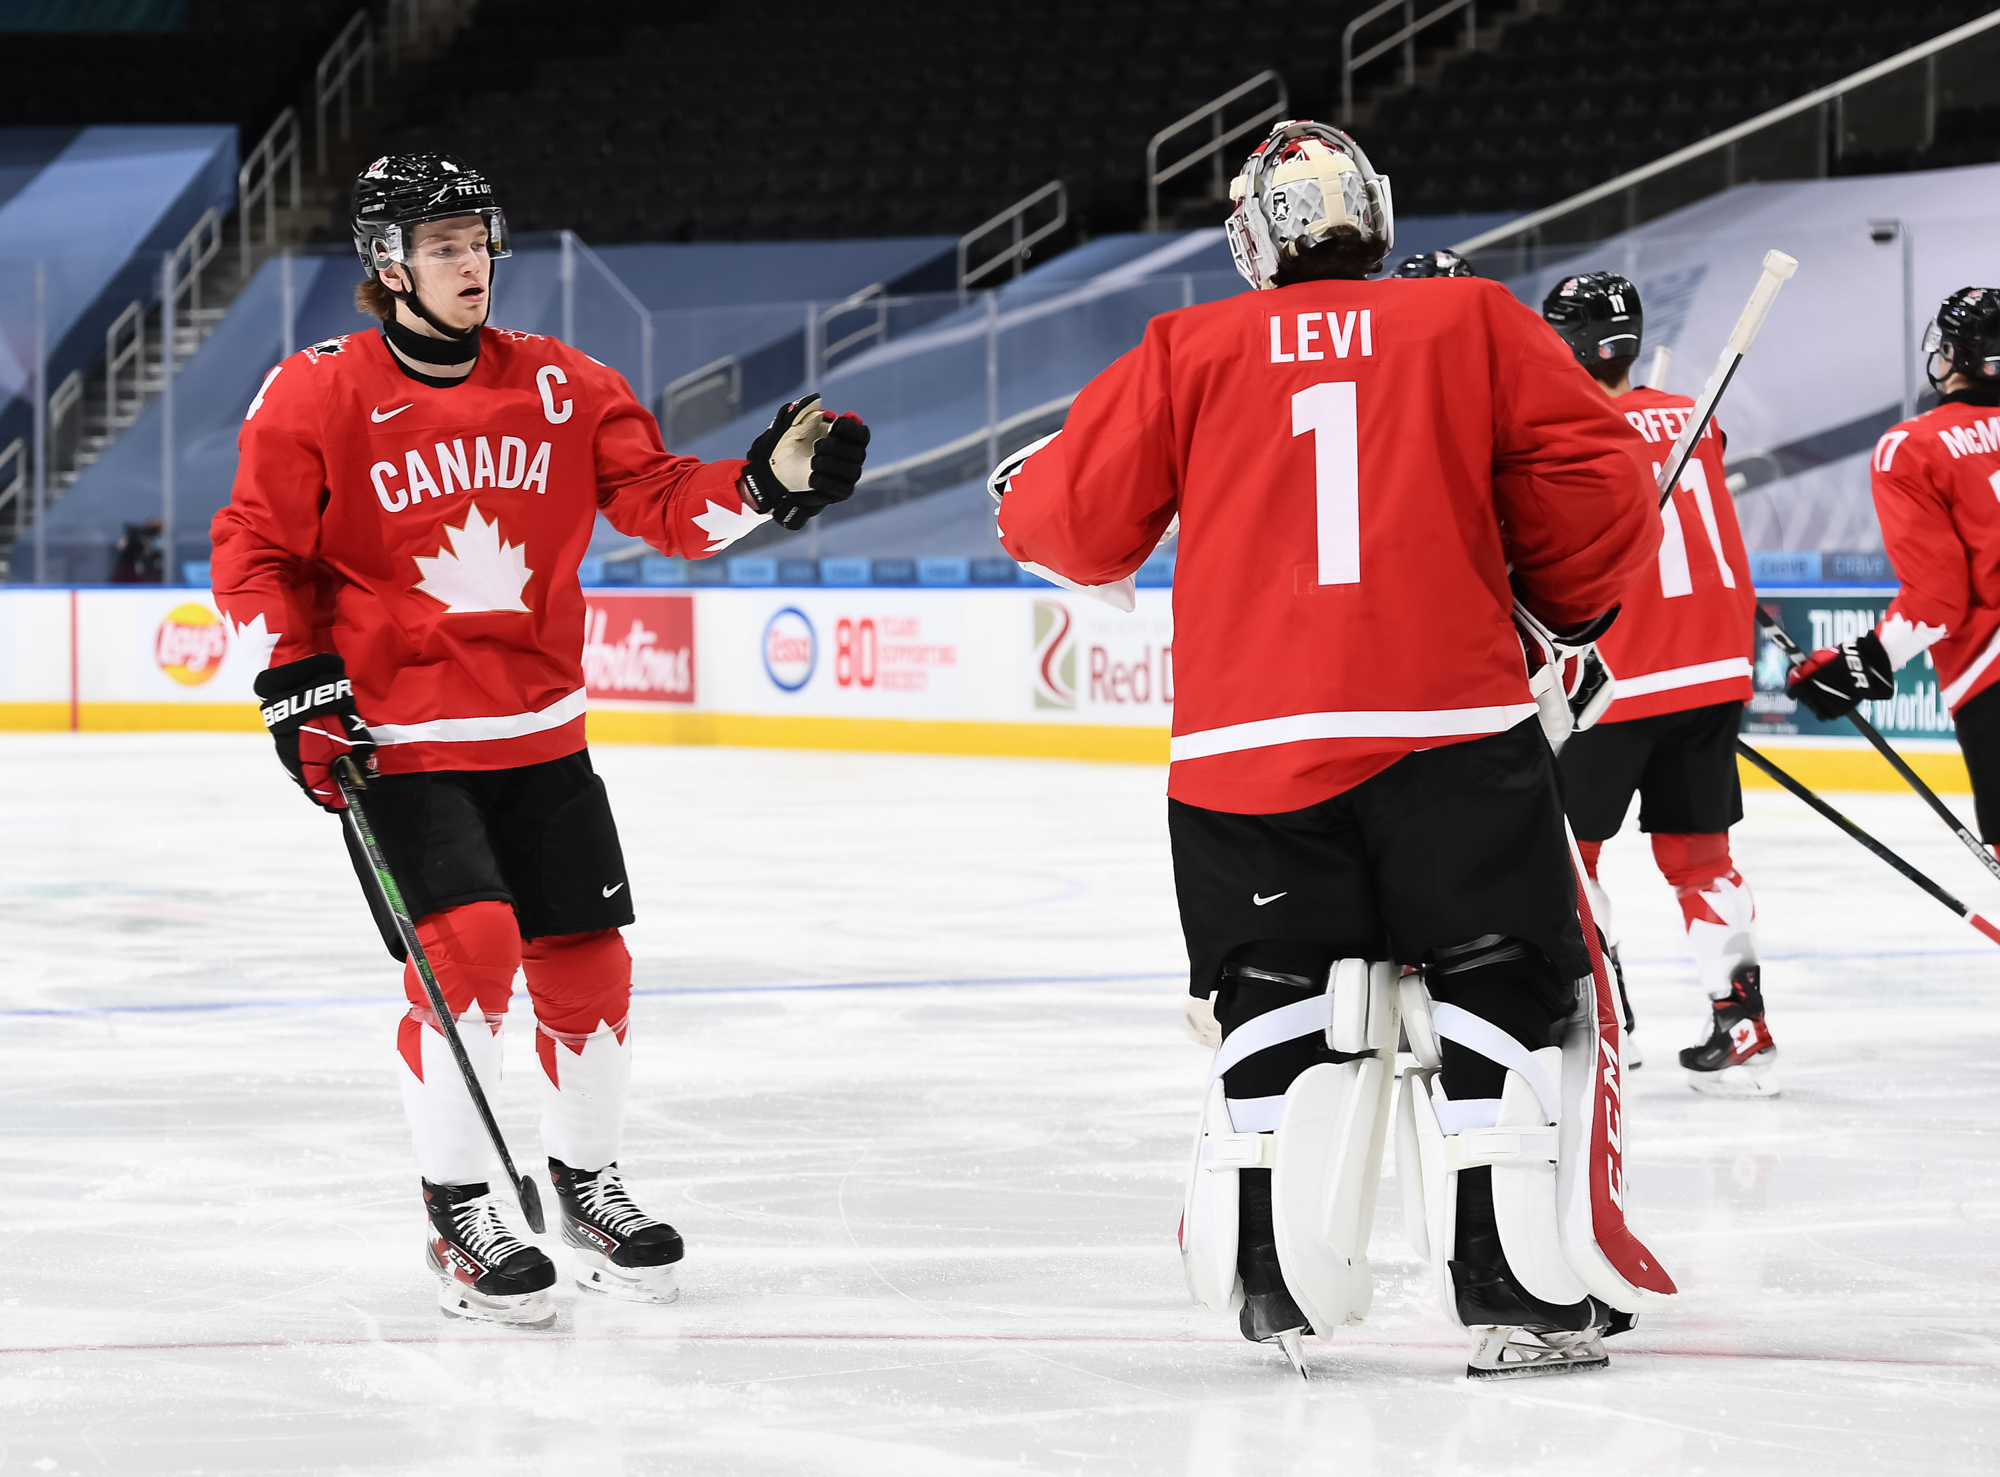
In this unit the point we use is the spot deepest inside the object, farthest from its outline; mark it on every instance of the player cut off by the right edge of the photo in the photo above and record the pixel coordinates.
(1937, 493)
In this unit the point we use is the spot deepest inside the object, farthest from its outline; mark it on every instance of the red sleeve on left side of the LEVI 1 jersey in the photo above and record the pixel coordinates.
(1121, 445)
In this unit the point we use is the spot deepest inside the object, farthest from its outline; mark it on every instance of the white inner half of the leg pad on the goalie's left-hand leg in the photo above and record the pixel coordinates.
(1323, 1190)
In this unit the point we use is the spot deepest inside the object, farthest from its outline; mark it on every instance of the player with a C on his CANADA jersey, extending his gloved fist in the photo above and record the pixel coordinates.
(403, 541)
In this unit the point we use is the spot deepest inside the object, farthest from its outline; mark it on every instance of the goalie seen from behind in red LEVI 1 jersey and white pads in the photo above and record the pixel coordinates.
(1359, 776)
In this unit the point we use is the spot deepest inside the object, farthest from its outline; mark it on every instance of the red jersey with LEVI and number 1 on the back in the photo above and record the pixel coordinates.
(1355, 467)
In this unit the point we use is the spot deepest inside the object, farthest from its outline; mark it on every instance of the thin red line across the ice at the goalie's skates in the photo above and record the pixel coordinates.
(913, 1338)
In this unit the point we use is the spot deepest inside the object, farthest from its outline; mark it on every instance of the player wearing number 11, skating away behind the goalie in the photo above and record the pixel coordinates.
(1681, 663)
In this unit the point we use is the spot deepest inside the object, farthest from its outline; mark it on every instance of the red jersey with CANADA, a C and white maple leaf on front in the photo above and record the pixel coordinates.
(431, 537)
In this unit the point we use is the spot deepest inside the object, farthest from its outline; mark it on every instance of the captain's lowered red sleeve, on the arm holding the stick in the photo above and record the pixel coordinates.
(267, 539)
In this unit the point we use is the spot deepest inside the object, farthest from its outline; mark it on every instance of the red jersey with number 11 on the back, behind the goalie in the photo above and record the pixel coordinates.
(1687, 633)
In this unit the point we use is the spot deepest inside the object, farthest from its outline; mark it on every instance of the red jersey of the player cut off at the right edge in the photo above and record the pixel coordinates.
(1937, 491)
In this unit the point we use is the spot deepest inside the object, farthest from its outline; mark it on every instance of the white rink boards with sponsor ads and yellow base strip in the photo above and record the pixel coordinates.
(973, 671)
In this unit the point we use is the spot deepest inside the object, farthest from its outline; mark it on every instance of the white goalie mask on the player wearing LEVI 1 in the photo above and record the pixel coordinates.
(1301, 187)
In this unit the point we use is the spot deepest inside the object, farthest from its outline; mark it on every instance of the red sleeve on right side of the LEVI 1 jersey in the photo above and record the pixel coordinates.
(1579, 513)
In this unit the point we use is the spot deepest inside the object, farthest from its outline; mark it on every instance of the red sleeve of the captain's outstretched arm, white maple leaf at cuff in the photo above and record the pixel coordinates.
(679, 505)
